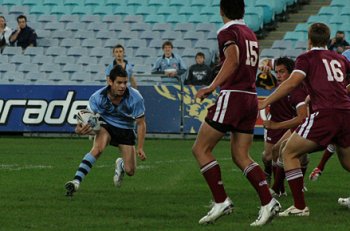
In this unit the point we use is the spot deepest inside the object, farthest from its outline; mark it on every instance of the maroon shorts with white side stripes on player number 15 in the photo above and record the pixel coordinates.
(234, 111)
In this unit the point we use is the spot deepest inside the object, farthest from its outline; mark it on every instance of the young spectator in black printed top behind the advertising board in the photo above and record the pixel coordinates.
(199, 73)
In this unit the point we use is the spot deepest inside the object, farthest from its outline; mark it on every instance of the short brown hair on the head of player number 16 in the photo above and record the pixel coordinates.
(319, 34)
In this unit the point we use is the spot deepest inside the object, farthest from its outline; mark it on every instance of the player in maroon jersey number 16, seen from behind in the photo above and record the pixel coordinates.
(323, 73)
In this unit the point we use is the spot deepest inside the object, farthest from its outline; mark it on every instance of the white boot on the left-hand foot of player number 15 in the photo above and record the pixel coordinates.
(218, 210)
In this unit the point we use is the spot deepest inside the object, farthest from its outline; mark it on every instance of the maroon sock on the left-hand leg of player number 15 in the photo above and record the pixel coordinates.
(212, 174)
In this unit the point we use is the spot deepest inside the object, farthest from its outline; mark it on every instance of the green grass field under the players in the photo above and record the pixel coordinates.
(167, 192)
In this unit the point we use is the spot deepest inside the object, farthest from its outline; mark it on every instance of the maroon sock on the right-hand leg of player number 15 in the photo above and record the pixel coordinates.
(257, 178)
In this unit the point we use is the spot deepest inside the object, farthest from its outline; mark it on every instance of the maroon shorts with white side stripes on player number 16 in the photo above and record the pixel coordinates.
(327, 126)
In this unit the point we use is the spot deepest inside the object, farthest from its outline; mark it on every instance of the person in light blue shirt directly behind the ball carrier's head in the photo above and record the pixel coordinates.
(119, 53)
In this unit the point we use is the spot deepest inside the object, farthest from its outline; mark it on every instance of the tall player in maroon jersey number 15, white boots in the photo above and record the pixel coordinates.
(235, 111)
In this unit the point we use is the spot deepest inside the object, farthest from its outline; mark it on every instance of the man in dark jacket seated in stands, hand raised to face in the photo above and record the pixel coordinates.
(24, 36)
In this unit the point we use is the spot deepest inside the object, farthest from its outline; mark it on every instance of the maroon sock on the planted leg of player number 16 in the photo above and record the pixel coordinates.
(296, 183)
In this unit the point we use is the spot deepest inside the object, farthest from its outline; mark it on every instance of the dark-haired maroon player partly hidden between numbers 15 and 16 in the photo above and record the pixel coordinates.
(286, 114)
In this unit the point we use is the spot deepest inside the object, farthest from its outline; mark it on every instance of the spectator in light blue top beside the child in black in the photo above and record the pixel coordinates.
(169, 63)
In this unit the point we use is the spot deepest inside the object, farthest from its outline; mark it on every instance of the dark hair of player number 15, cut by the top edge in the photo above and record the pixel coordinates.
(232, 9)
